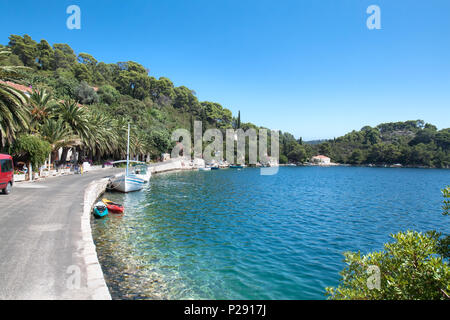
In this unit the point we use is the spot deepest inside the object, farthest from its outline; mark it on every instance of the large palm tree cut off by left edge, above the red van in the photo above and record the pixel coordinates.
(14, 114)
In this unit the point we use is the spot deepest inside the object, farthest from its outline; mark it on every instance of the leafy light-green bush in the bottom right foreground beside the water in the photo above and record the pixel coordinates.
(410, 268)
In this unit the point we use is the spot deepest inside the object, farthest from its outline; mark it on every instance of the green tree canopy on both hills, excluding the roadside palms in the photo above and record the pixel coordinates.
(127, 91)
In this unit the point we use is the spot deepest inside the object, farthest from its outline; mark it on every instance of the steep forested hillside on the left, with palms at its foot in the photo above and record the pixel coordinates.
(104, 96)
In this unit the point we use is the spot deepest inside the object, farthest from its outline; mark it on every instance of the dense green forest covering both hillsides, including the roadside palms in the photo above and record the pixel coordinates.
(79, 102)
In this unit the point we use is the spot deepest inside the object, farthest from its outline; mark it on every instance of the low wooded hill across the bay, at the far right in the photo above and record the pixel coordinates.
(410, 143)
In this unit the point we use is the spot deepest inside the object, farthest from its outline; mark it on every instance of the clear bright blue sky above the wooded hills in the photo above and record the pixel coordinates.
(309, 67)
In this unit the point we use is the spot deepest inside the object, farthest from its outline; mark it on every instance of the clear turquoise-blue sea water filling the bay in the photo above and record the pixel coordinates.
(235, 234)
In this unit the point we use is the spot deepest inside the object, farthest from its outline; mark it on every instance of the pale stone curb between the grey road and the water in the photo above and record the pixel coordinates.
(95, 280)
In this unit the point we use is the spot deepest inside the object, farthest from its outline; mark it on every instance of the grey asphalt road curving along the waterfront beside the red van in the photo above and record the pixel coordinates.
(40, 236)
